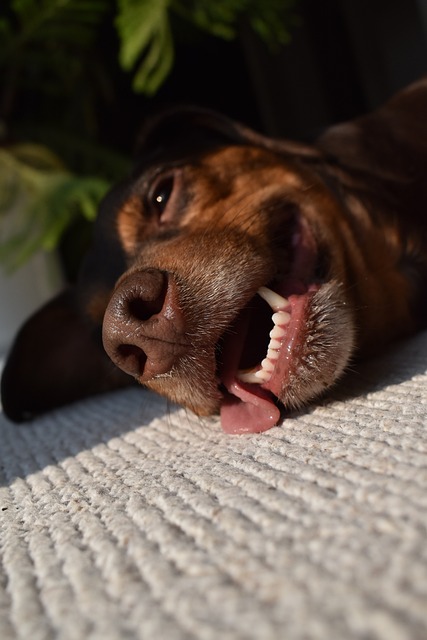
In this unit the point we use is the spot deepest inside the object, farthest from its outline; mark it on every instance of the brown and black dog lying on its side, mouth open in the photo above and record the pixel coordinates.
(235, 273)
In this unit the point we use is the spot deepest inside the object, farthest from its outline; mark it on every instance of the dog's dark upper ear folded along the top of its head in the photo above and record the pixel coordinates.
(192, 129)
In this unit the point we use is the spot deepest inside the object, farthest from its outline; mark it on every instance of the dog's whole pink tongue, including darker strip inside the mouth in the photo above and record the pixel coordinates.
(246, 408)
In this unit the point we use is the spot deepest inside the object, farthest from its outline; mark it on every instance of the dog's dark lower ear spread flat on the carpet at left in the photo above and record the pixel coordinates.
(57, 358)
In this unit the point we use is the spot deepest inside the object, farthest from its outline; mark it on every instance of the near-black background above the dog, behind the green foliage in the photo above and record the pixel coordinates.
(345, 57)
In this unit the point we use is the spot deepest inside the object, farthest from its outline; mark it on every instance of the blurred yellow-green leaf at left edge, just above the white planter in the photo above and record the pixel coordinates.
(39, 199)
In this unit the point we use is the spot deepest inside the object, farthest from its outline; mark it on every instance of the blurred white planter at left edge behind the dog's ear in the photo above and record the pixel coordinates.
(24, 291)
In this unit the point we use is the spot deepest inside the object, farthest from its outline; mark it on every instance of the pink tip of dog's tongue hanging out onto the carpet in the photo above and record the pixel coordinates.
(245, 411)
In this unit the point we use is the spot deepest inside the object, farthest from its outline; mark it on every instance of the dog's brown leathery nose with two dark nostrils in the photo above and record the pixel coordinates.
(143, 329)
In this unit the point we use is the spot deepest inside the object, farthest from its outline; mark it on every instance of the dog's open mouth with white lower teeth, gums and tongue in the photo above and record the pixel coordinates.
(261, 350)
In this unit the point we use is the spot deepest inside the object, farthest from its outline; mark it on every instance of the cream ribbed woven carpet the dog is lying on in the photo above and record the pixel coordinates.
(123, 517)
